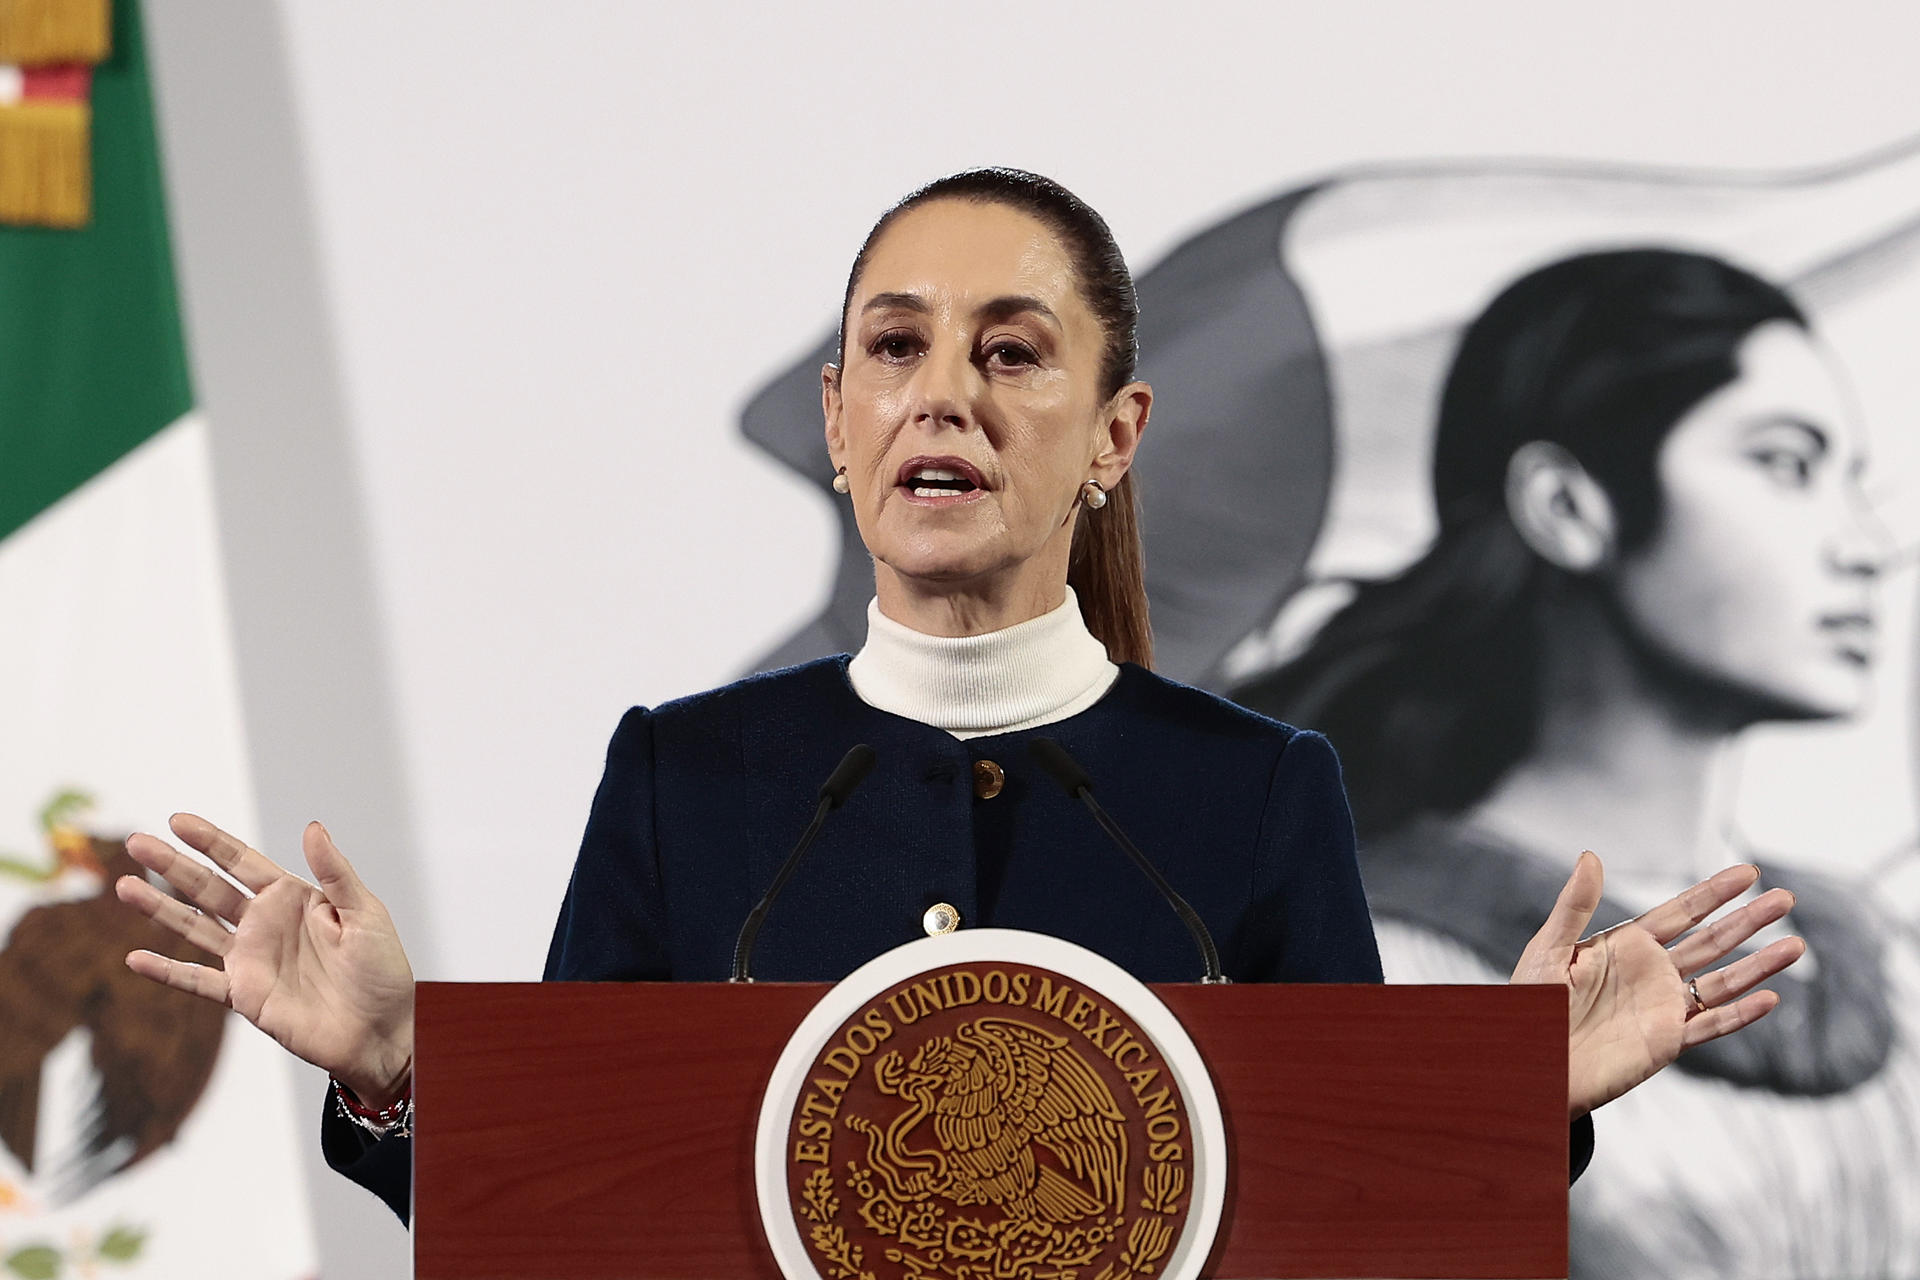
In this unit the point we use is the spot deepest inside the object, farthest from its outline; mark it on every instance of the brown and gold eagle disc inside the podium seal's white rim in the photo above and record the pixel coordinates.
(990, 1124)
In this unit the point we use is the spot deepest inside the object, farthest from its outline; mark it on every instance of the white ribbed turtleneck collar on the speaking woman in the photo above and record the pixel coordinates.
(1019, 678)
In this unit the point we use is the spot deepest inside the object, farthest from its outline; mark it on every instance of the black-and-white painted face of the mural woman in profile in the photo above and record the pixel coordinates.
(1760, 573)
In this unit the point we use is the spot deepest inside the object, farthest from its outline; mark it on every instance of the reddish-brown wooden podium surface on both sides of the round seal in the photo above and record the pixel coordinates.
(606, 1129)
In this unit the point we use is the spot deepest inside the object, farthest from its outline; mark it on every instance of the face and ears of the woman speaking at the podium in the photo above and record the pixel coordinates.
(969, 410)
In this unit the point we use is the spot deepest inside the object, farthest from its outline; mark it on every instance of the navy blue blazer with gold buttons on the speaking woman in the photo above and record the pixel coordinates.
(704, 797)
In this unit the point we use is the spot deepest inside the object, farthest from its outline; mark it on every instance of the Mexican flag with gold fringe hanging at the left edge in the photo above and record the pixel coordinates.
(143, 1133)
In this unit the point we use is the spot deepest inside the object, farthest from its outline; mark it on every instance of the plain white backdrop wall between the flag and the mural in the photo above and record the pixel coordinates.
(479, 291)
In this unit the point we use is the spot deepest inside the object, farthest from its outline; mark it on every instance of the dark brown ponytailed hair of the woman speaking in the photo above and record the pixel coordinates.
(1107, 569)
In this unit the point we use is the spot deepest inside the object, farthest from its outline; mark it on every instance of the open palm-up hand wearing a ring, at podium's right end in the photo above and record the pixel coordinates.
(1631, 1005)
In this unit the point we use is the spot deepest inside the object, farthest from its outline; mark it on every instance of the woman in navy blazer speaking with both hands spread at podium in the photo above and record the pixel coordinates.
(982, 421)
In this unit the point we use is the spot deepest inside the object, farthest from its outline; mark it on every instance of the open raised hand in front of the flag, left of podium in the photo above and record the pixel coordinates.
(316, 968)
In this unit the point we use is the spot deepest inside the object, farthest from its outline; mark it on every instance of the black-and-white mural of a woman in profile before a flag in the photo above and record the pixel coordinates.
(1572, 504)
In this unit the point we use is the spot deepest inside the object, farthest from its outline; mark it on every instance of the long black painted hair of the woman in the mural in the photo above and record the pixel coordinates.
(1429, 682)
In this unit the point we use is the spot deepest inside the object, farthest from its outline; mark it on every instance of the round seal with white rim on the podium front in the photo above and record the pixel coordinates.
(1042, 1104)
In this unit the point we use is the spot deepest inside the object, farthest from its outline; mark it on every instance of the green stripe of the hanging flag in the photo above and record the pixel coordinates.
(91, 352)
